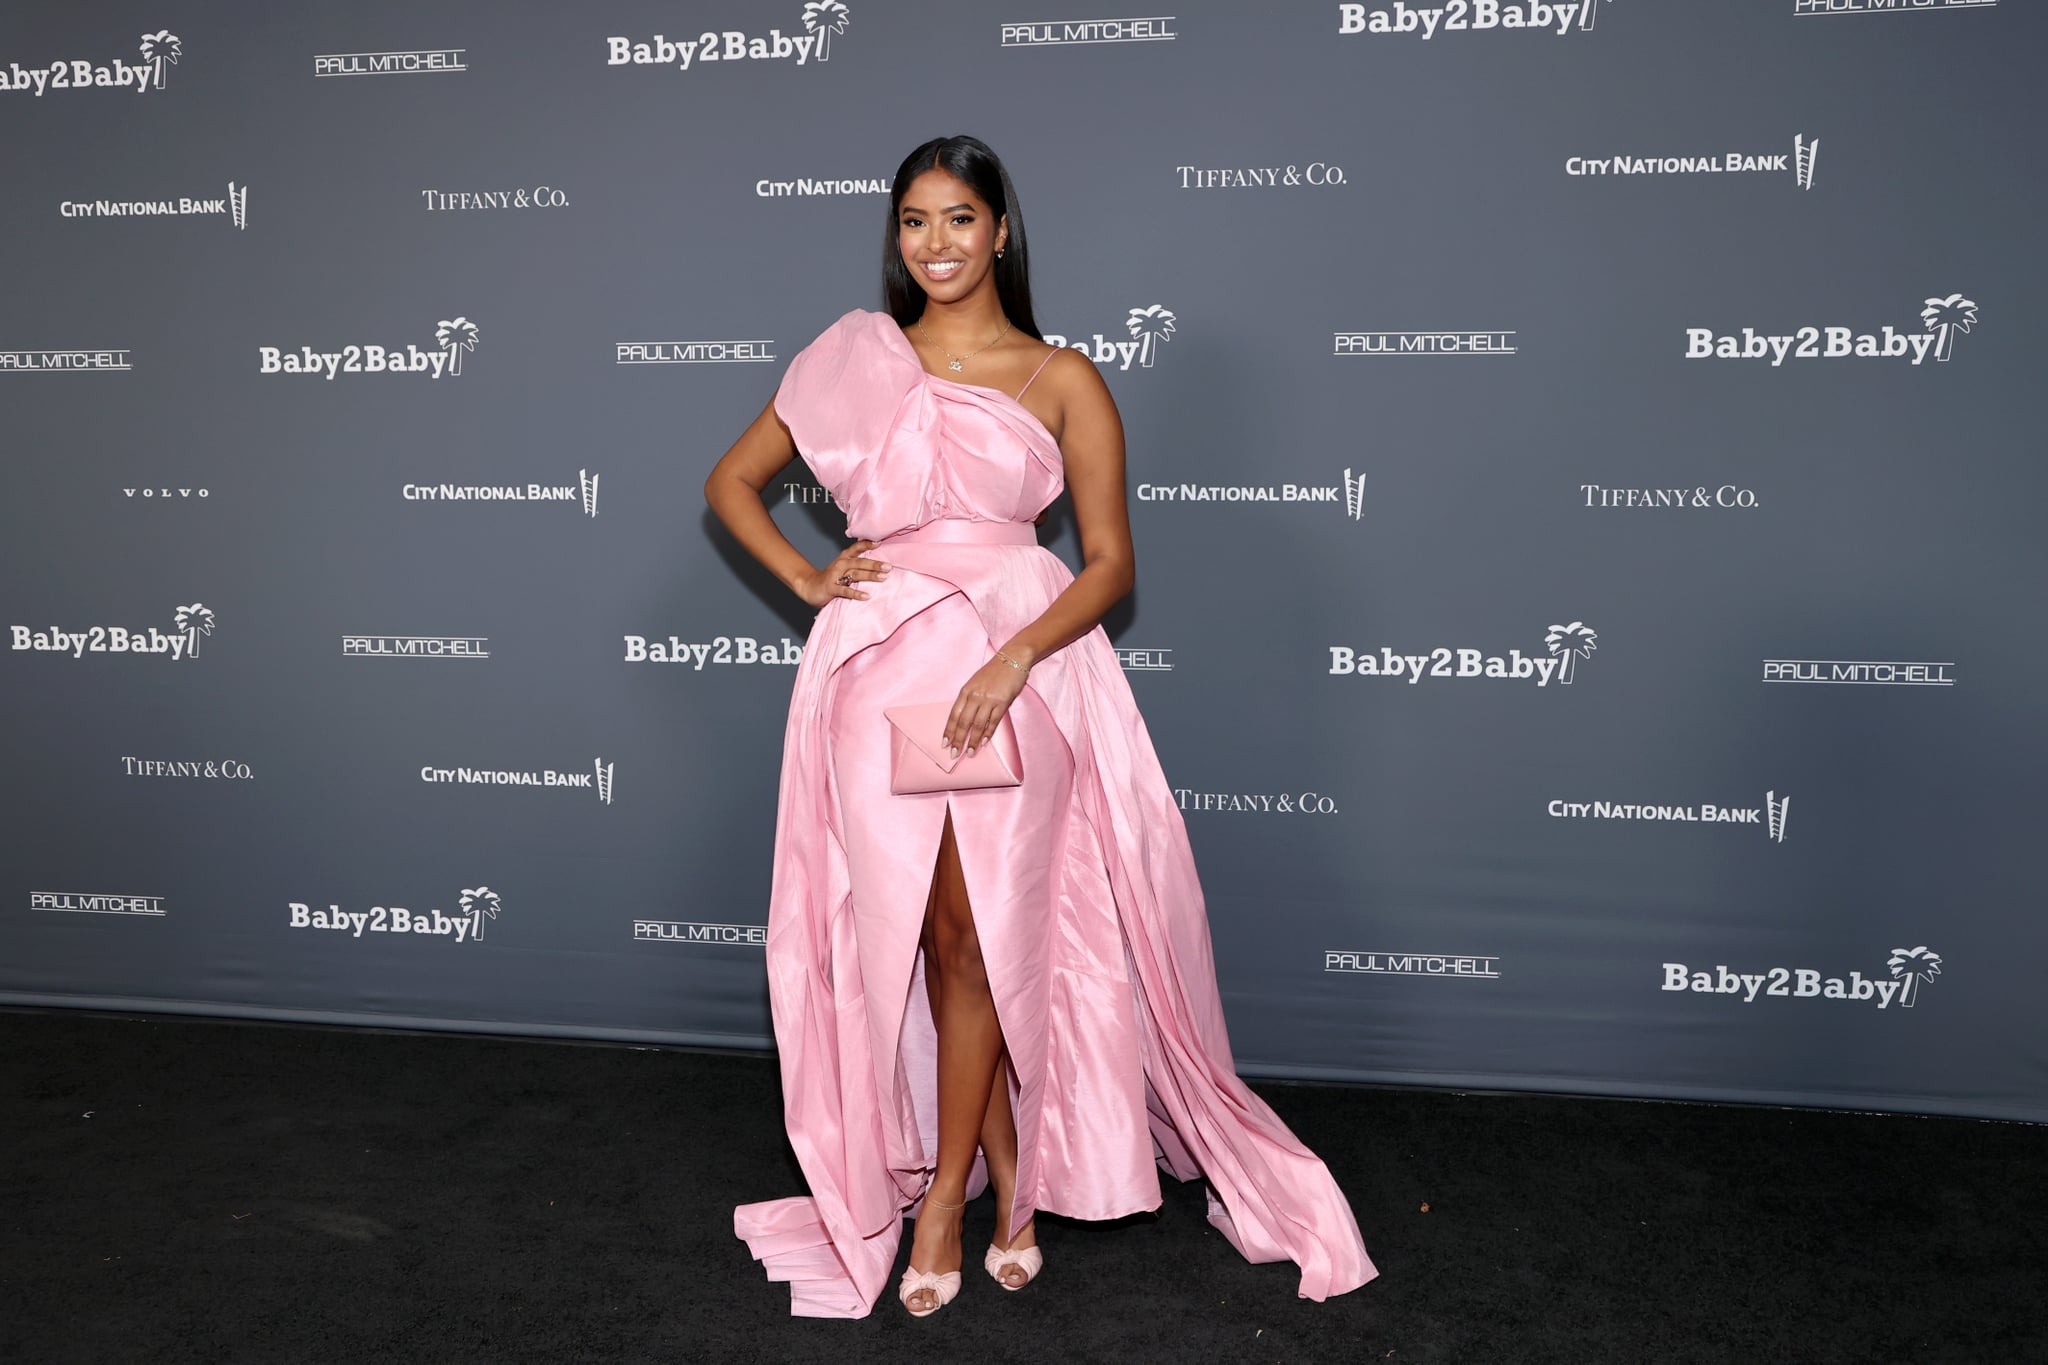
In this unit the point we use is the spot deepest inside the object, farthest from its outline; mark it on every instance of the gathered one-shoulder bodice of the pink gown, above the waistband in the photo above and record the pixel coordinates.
(900, 447)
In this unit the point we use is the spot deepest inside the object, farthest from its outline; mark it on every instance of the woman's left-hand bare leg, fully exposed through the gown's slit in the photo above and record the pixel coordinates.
(970, 1043)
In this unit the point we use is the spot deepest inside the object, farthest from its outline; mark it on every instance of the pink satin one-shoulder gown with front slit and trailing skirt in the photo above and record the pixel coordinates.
(1082, 881)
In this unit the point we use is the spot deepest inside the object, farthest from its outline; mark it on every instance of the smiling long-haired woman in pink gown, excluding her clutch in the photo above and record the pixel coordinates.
(1011, 985)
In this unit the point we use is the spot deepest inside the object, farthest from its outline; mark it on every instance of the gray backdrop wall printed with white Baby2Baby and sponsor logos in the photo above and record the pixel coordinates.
(1584, 468)
